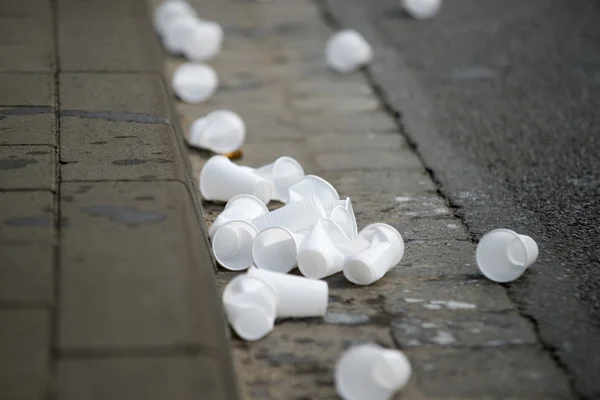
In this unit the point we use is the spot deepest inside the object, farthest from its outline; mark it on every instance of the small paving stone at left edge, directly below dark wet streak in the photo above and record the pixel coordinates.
(16, 128)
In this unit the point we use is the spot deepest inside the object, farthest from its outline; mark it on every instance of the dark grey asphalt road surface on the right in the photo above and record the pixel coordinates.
(501, 99)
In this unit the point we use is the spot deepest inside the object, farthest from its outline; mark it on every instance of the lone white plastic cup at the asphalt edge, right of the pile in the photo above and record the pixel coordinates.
(503, 255)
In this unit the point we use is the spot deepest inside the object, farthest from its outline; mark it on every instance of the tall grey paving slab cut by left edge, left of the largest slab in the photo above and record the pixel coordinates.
(26, 247)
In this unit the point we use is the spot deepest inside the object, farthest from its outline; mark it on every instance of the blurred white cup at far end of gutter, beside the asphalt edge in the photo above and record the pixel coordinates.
(347, 50)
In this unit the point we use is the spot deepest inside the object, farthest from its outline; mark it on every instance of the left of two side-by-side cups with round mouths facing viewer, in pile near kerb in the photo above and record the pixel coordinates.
(232, 245)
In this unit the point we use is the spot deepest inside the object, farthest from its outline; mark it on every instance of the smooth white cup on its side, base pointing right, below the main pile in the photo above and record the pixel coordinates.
(298, 296)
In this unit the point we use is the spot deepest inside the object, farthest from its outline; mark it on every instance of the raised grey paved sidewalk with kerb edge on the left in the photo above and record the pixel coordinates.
(107, 288)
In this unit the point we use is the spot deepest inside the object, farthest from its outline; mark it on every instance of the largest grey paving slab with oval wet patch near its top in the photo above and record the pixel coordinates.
(135, 270)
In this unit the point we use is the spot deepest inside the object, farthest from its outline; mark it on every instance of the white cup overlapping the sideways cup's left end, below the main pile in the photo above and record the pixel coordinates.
(250, 306)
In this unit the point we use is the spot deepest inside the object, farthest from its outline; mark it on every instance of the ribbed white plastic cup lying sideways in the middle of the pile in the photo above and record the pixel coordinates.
(296, 217)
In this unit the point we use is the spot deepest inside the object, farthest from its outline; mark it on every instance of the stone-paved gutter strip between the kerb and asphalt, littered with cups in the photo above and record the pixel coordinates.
(465, 338)
